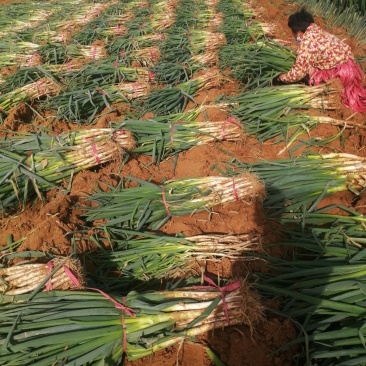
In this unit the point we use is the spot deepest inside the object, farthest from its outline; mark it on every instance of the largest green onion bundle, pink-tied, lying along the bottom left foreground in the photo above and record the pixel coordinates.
(84, 327)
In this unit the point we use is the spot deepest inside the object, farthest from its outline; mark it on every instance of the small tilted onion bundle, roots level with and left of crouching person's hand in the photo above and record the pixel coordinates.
(174, 99)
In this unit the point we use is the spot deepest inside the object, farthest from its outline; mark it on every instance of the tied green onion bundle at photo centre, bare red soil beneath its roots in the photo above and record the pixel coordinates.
(150, 205)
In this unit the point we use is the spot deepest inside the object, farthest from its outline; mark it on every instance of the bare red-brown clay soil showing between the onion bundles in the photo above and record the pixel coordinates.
(44, 225)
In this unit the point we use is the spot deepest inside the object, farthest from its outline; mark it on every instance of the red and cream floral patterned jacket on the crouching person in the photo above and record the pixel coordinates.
(318, 49)
